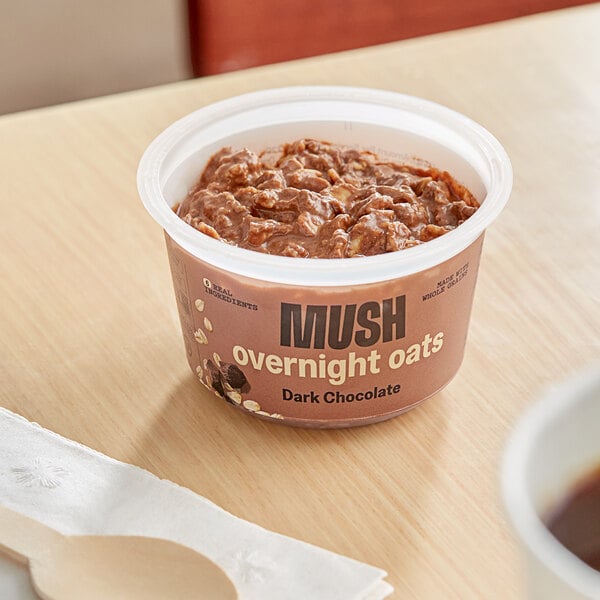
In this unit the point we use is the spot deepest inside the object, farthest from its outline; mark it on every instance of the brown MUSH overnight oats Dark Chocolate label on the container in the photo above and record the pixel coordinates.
(330, 355)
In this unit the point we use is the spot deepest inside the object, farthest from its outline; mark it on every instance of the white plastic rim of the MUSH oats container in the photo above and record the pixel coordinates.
(325, 272)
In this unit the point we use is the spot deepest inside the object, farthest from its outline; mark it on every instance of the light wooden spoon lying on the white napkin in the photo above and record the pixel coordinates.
(96, 567)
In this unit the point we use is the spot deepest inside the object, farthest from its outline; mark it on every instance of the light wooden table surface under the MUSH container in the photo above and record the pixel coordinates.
(90, 340)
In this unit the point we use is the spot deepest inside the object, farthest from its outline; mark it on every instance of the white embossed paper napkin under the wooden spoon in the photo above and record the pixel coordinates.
(79, 491)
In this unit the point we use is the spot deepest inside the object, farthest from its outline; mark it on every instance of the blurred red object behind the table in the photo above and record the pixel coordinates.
(227, 35)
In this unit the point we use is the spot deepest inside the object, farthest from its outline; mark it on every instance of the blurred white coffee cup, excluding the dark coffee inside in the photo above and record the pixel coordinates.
(554, 445)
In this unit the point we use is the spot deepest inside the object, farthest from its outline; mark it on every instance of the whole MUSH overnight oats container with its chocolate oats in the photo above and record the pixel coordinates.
(352, 310)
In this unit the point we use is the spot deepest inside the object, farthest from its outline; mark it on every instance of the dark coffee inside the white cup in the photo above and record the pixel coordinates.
(576, 521)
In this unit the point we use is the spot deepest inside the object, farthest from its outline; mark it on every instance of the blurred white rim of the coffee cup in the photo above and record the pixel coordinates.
(531, 530)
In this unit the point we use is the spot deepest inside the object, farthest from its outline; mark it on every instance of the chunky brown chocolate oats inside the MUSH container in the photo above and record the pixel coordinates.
(315, 199)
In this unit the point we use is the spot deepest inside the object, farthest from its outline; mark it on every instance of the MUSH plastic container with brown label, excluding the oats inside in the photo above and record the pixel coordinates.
(260, 330)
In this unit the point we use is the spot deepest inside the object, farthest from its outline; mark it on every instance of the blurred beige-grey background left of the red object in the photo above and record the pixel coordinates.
(54, 51)
